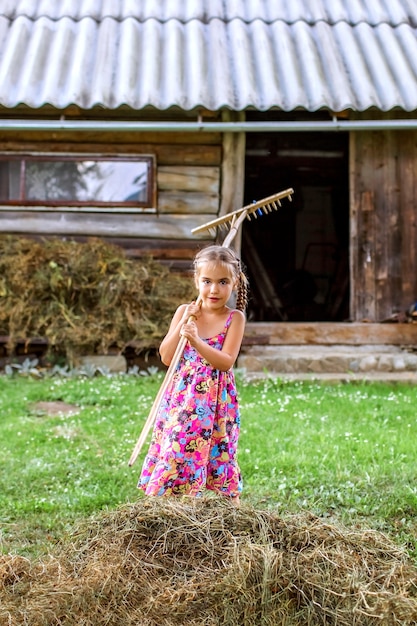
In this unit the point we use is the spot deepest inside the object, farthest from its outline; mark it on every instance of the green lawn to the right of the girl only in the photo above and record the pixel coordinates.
(345, 451)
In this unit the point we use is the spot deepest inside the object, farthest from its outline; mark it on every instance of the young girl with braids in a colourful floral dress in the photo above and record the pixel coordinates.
(194, 442)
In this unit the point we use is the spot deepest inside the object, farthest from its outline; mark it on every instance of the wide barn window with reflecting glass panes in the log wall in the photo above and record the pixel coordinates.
(83, 180)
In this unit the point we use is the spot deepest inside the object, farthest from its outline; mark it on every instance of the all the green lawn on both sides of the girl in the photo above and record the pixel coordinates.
(345, 452)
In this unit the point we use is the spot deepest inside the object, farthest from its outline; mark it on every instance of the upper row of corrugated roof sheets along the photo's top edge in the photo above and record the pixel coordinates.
(394, 12)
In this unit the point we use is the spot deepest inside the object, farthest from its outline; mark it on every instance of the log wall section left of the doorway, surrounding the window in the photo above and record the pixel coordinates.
(198, 176)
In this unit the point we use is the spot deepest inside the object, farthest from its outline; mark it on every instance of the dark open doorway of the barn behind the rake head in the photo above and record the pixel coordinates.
(297, 257)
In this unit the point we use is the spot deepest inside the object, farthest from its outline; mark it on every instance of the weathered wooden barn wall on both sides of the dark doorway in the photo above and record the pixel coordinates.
(201, 175)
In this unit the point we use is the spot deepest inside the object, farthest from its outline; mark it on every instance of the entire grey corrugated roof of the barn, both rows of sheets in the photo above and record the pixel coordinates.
(236, 54)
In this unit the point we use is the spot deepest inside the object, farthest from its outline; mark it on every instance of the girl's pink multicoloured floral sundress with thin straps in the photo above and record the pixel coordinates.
(194, 441)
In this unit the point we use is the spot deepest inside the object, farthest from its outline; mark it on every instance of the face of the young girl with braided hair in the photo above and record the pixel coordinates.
(215, 283)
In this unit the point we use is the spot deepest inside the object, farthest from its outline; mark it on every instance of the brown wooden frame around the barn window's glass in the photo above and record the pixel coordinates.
(147, 206)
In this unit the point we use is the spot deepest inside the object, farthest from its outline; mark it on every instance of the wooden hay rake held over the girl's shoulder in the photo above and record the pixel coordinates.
(232, 221)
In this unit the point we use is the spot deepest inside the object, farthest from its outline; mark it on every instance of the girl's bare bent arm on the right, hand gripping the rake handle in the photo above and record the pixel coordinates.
(225, 358)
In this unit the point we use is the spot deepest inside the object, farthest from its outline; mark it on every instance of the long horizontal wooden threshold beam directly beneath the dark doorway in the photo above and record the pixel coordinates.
(328, 333)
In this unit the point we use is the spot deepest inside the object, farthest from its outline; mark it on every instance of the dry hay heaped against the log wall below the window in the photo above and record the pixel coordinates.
(84, 297)
